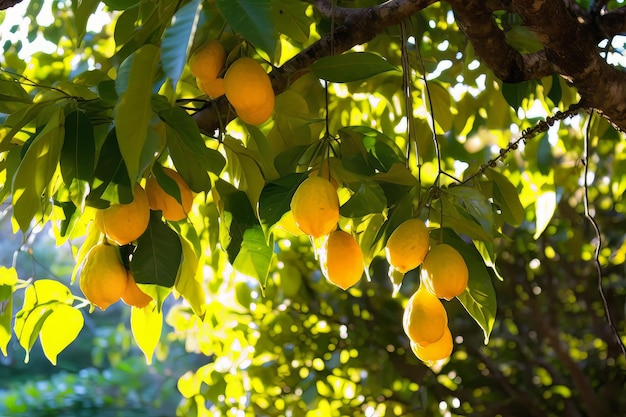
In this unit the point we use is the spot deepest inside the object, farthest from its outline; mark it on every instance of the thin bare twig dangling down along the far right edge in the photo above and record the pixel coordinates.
(596, 229)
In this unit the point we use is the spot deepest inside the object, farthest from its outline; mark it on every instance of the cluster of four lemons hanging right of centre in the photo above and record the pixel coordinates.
(443, 274)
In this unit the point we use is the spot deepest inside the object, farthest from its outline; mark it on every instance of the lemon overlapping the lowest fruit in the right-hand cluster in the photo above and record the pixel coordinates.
(425, 319)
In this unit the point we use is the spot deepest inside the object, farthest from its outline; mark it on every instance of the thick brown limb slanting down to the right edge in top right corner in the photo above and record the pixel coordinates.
(571, 48)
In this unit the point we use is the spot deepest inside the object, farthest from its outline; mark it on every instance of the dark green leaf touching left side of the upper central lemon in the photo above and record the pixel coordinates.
(275, 199)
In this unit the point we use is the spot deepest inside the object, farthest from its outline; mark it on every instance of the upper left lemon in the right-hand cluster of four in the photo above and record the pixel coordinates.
(407, 245)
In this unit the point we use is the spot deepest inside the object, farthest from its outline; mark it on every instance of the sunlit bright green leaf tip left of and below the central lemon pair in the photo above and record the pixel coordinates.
(255, 255)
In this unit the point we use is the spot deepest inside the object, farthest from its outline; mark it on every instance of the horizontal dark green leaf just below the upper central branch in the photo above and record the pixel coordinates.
(353, 66)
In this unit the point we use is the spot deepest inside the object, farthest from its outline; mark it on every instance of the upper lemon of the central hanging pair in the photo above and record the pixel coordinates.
(315, 207)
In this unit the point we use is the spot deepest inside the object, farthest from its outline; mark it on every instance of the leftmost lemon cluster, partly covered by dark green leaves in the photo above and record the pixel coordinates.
(104, 279)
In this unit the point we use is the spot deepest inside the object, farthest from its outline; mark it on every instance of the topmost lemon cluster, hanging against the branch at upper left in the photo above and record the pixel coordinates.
(245, 83)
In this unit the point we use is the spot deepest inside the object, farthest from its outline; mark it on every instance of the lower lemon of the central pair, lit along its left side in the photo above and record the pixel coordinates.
(342, 259)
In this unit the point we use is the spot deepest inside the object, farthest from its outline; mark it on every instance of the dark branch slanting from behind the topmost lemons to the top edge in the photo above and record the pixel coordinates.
(359, 26)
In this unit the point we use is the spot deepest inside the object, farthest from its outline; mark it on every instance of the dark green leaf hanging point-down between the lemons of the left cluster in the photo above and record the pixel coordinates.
(158, 254)
